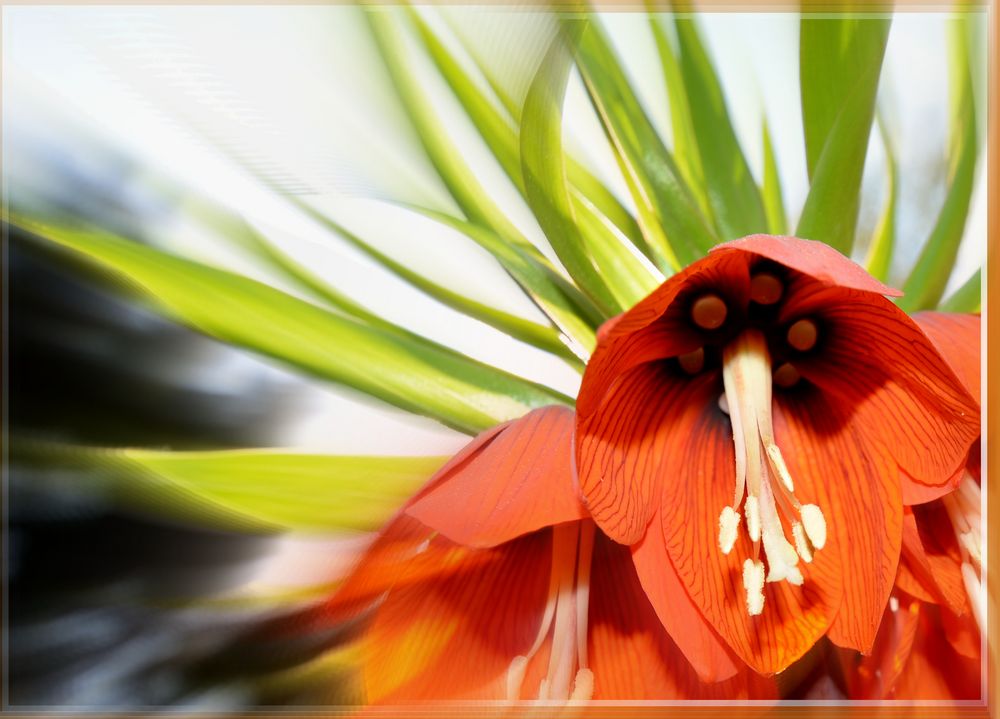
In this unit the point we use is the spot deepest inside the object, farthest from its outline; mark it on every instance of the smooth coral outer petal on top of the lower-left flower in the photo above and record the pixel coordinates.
(512, 480)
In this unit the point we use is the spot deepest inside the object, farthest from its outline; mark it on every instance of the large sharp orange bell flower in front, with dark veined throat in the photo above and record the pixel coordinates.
(752, 430)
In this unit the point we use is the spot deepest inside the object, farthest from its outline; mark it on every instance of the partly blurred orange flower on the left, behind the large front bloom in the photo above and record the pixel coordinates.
(493, 583)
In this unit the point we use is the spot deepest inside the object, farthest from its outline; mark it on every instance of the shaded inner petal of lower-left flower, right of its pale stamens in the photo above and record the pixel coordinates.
(631, 655)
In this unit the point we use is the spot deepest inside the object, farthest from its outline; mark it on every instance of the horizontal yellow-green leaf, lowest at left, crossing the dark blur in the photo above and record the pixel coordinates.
(248, 490)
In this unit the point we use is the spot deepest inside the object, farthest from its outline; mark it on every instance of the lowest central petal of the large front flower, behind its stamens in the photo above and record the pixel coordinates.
(701, 460)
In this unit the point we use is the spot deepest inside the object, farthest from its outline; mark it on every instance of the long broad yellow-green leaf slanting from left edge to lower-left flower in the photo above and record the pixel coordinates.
(402, 369)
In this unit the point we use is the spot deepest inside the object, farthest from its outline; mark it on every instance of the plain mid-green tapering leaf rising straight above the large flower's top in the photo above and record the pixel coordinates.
(732, 191)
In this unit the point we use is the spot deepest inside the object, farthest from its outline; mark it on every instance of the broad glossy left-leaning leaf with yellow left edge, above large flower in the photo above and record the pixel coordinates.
(669, 217)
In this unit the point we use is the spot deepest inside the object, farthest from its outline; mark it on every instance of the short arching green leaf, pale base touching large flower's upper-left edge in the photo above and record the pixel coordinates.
(557, 298)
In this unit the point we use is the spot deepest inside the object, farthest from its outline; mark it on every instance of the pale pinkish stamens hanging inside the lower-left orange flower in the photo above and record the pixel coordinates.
(565, 619)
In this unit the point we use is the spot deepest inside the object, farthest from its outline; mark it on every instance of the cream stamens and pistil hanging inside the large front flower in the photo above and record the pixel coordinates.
(746, 373)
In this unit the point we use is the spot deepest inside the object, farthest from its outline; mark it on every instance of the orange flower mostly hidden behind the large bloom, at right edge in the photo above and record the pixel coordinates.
(929, 643)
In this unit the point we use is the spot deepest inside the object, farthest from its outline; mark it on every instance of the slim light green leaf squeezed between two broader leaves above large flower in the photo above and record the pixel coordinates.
(685, 146)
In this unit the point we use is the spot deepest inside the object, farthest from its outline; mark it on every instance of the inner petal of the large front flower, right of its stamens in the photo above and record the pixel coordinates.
(859, 494)
